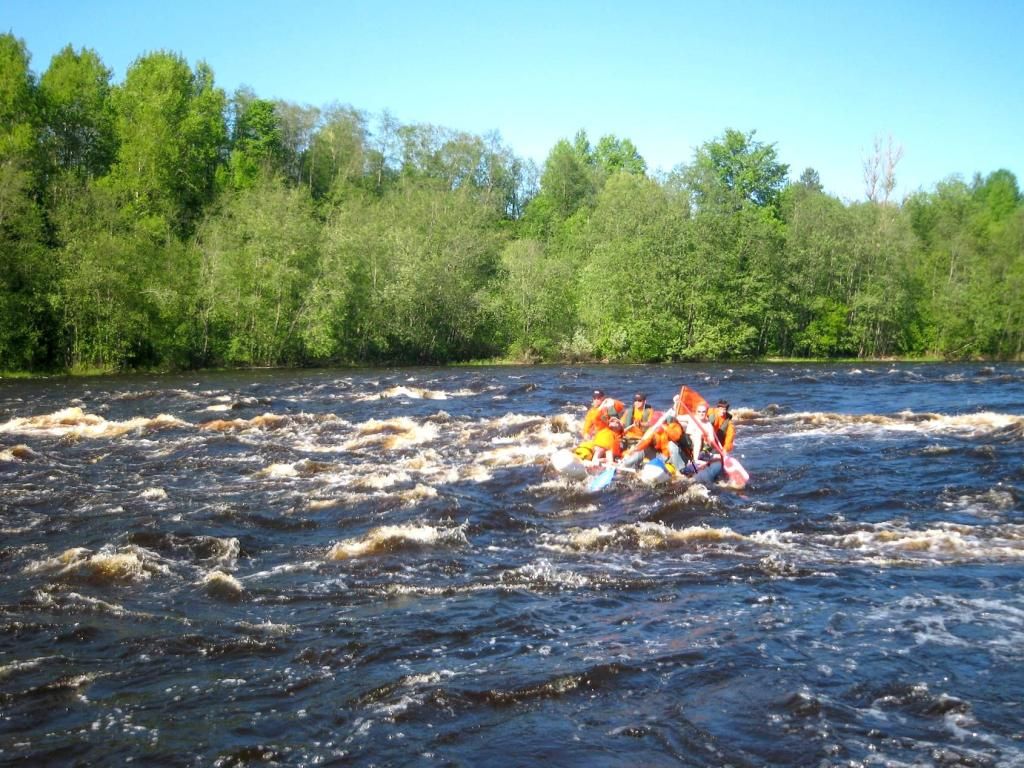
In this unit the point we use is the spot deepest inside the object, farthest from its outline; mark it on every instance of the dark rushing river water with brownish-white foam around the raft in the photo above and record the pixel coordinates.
(380, 568)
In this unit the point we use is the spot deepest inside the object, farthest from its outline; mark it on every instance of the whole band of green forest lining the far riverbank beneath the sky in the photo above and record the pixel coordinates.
(161, 224)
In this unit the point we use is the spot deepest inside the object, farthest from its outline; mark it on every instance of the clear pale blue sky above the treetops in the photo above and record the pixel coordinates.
(819, 79)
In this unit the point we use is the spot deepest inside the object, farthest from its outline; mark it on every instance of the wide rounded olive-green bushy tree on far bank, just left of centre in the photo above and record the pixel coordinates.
(419, 270)
